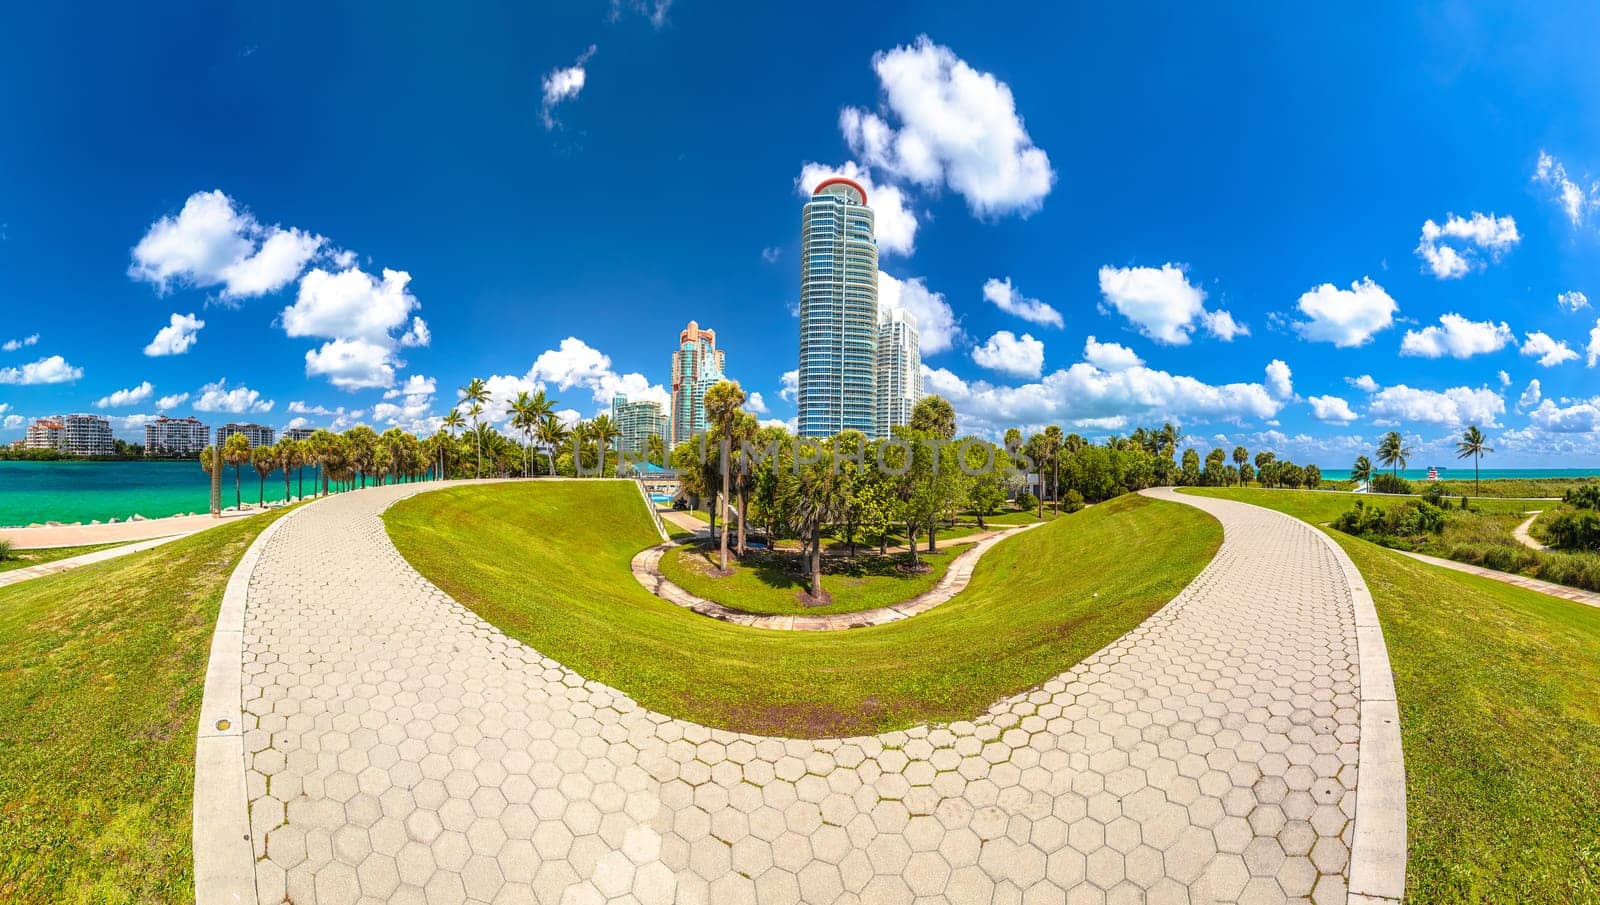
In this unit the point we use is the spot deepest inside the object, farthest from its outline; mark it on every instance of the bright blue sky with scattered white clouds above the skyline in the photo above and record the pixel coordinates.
(1233, 204)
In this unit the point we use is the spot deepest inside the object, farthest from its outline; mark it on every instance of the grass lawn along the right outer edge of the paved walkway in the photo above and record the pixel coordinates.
(1500, 722)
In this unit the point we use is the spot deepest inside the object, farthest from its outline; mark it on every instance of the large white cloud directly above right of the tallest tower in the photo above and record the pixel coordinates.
(958, 127)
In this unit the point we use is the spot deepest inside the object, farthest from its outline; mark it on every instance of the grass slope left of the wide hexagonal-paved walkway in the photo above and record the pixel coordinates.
(102, 674)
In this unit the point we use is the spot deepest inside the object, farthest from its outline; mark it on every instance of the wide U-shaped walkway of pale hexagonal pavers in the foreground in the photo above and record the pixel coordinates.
(393, 748)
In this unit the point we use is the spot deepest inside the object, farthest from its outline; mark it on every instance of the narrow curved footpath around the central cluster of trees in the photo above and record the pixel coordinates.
(647, 572)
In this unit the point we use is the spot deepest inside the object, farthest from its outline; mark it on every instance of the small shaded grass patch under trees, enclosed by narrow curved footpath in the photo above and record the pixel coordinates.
(770, 583)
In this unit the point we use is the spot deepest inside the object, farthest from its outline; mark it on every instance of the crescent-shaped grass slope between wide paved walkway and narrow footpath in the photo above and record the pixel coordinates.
(550, 565)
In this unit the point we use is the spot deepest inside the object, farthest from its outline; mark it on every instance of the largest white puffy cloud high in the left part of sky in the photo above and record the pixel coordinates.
(212, 242)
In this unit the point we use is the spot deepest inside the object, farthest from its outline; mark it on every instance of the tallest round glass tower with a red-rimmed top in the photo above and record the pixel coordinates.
(839, 313)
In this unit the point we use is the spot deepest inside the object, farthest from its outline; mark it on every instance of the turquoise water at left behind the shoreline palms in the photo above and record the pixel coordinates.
(86, 492)
